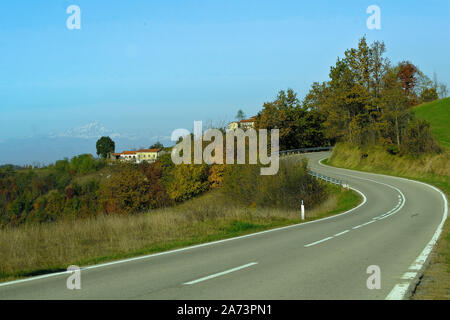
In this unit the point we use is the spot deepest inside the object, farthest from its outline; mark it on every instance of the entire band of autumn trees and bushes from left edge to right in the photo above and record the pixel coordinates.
(367, 101)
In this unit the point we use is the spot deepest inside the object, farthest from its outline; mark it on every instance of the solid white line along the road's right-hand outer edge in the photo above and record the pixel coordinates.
(399, 291)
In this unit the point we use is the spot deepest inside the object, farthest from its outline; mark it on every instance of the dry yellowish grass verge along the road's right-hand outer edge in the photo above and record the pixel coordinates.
(433, 170)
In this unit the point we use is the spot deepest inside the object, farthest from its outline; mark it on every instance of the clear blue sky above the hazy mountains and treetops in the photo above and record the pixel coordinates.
(148, 67)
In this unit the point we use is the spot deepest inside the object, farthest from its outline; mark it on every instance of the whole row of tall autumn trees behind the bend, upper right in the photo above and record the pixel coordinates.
(367, 101)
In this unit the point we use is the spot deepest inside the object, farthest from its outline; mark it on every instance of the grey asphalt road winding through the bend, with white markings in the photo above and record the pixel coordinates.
(325, 259)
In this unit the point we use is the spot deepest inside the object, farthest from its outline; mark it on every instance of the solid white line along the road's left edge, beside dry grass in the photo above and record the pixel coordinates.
(191, 247)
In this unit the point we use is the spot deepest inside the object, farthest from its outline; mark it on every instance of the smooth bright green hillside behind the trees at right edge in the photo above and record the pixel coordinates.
(438, 114)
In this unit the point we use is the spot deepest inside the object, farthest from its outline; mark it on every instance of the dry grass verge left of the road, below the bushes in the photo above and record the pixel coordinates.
(32, 250)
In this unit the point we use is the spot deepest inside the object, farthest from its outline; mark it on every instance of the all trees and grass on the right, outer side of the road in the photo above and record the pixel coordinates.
(387, 119)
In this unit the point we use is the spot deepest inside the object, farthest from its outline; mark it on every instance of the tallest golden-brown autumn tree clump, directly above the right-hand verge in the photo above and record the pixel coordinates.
(366, 101)
